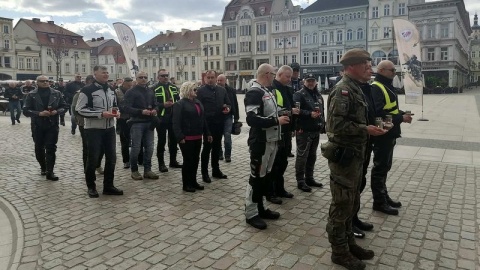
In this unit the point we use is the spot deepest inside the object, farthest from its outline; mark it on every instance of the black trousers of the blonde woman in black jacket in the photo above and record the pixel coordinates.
(191, 158)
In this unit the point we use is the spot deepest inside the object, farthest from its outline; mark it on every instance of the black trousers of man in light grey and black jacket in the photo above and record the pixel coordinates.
(98, 139)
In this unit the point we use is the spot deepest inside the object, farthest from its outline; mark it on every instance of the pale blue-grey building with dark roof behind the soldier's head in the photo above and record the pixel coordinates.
(328, 29)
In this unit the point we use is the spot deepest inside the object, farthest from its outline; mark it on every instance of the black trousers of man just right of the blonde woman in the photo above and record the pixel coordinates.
(214, 147)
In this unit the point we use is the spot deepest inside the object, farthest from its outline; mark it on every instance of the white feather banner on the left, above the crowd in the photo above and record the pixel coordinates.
(127, 40)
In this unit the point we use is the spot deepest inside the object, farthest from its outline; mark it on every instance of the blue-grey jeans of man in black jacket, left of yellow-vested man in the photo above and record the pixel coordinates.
(140, 133)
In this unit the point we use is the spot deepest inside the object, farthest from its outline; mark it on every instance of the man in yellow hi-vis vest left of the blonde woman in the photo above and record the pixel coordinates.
(166, 94)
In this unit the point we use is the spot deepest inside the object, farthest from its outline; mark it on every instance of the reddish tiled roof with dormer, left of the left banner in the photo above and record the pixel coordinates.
(45, 31)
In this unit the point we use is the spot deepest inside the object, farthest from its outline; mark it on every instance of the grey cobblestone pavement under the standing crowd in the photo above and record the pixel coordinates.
(157, 226)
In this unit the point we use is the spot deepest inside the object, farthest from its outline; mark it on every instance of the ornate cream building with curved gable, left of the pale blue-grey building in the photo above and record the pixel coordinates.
(257, 32)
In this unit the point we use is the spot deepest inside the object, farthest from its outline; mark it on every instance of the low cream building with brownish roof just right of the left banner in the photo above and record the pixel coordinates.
(177, 52)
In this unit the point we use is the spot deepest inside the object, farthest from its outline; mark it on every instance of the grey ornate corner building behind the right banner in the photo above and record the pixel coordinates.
(444, 28)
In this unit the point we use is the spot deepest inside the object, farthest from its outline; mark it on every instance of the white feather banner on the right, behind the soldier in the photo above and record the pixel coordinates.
(409, 53)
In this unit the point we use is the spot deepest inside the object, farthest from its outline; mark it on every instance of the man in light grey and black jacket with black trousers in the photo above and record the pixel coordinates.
(95, 103)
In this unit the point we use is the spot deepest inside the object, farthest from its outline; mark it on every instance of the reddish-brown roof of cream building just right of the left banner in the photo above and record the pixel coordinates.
(189, 40)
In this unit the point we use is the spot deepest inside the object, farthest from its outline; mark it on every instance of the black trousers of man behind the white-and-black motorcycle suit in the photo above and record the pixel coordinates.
(279, 167)
